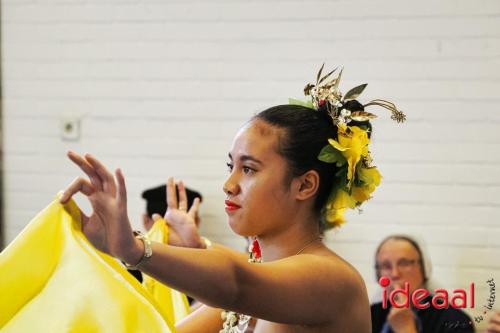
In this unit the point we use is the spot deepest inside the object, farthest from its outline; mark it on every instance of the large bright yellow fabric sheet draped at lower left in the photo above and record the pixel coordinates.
(53, 280)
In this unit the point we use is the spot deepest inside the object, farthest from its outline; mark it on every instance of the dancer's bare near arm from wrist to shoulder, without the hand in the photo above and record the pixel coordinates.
(303, 289)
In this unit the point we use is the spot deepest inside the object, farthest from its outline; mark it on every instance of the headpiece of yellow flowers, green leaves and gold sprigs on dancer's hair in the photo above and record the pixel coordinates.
(357, 177)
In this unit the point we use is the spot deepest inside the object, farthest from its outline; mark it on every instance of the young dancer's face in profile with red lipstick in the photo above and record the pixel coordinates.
(258, 202)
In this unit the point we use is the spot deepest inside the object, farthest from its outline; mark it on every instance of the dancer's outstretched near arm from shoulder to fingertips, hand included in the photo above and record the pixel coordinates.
(303, 289)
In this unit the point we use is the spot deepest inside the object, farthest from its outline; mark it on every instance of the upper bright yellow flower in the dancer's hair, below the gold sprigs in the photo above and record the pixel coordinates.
(353, 144)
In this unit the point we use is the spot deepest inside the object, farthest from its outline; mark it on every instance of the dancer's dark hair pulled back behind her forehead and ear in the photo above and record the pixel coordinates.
(305, 133)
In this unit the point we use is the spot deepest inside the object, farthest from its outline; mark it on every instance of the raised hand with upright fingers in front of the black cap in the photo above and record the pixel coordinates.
(182, 222)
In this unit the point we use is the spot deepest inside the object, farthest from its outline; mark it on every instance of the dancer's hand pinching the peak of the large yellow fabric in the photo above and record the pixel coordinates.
(108, 227)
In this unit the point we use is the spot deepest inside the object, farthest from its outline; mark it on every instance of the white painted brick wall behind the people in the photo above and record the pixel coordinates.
(162, 86)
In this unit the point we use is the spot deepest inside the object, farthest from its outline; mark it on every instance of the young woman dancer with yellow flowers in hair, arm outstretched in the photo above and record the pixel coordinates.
(285, 185)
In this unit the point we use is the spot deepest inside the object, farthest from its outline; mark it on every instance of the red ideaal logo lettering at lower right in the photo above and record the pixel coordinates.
(440, 299)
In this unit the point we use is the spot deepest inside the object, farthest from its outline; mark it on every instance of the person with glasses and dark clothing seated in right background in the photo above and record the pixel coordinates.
(400, 258)
